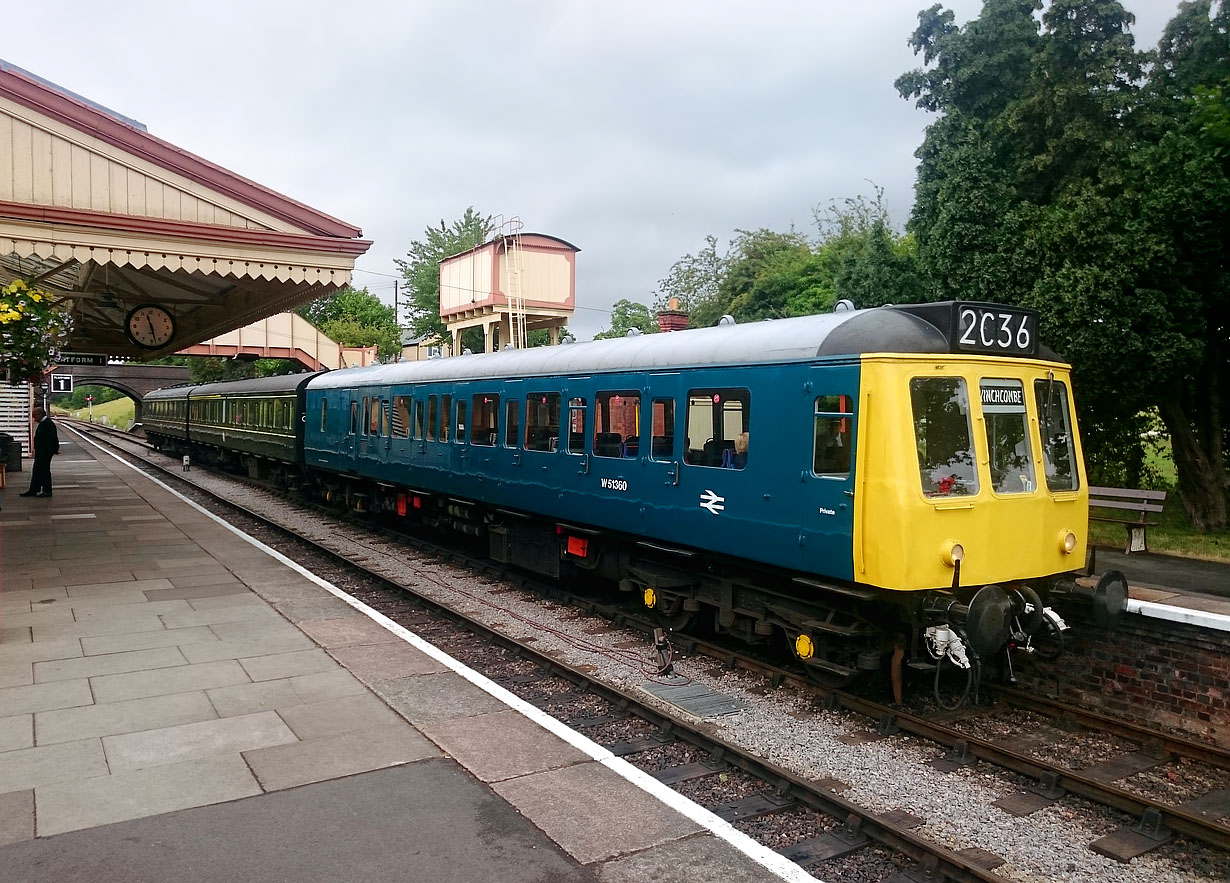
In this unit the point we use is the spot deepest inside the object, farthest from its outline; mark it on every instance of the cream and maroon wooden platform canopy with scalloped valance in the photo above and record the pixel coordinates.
(110, 218)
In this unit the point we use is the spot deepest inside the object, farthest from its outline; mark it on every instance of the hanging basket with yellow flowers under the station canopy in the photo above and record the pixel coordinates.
(33, 331)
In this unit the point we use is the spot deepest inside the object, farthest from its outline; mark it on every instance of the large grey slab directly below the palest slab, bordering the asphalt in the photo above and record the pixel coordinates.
(138, 794)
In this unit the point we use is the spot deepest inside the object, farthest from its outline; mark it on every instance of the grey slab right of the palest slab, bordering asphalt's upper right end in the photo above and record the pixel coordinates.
(287, 767)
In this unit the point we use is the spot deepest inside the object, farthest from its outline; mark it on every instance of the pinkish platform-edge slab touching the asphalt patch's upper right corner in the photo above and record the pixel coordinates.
(502, 746)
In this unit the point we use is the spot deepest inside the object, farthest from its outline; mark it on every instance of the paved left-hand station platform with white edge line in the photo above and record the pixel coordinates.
(179, 703)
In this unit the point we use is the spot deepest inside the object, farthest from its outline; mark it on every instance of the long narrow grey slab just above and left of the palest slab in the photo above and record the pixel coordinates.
(130, 716)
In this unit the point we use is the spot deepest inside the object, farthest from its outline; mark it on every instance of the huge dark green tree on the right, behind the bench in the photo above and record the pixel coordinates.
(1074, 175)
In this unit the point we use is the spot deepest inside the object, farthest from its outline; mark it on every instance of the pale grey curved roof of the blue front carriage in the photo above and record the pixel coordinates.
(911, 329)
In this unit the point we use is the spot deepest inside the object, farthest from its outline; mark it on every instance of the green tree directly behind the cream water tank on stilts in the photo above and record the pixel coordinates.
(423, 270)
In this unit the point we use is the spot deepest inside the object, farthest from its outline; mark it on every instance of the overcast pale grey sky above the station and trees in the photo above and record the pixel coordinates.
(632, 130)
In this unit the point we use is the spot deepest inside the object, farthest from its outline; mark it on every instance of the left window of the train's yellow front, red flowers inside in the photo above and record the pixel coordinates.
(943, 437)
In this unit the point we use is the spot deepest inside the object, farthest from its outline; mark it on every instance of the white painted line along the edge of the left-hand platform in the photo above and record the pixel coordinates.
(768, 859)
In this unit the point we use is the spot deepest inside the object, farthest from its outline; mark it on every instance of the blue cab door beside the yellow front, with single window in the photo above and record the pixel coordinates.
(828, 418)
